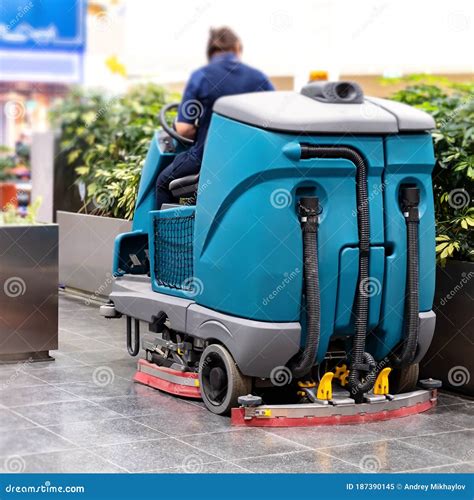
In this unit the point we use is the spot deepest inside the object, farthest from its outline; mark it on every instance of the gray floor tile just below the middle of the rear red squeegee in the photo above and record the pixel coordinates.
(327, 436)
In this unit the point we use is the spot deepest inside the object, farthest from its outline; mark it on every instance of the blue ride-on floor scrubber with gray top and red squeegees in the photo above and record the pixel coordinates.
(293, 280)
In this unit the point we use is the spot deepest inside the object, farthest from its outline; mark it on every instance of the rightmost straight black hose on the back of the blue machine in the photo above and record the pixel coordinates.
(409, 201)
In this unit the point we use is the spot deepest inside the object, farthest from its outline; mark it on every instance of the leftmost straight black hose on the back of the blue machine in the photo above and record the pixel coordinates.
(309, 214)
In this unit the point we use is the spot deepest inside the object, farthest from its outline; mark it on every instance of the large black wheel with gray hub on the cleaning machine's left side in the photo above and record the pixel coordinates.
(220, 380)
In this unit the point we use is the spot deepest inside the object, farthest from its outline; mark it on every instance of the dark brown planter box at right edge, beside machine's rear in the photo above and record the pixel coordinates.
(450, 357)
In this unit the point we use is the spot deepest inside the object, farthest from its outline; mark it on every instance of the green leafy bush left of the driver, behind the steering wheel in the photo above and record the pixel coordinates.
(107, 140)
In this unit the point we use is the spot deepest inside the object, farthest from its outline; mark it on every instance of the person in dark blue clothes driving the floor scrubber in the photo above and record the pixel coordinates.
(224, 75)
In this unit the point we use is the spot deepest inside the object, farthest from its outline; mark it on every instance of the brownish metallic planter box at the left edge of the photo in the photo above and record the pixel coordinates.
(28, 292)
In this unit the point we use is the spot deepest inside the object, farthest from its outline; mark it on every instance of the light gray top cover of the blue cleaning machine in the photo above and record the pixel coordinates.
(294, 112)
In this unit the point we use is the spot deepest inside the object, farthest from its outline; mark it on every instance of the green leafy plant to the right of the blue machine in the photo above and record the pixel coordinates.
(453, 175)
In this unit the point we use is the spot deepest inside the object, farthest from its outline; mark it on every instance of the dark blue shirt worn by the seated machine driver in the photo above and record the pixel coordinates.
(224, 75)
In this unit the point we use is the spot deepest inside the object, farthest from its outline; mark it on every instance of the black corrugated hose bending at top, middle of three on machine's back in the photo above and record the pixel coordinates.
(362, 362)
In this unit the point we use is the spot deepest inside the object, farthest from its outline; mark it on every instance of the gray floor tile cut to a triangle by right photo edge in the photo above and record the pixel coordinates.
(458, 445)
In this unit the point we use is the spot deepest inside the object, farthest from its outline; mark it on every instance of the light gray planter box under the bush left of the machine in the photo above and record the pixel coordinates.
(86, 244)
